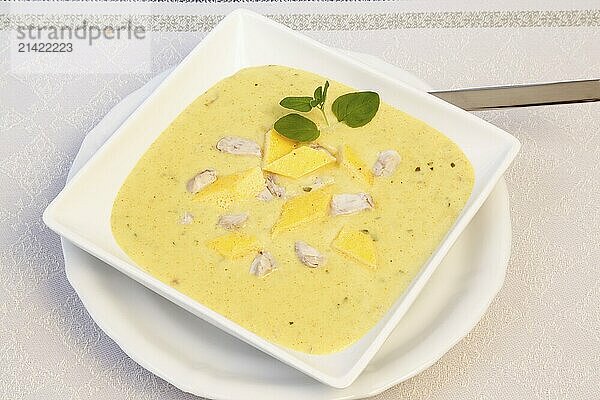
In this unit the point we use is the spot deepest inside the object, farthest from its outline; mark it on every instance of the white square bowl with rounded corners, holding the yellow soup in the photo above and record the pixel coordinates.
(81, 212)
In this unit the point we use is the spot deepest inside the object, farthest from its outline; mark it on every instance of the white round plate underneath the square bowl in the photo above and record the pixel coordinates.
(201, 359)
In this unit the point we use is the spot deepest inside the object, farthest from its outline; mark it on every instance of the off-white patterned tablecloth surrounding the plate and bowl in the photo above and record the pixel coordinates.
(541, 336)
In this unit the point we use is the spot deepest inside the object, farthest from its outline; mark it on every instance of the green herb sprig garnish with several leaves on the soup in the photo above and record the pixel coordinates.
(354, 109)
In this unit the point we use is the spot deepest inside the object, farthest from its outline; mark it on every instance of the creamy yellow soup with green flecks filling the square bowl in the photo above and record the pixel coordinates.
(170, 232)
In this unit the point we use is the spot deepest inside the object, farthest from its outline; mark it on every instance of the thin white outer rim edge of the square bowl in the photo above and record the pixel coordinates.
(53, 222)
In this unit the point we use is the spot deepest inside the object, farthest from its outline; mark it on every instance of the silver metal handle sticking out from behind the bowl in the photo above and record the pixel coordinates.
(494, 97)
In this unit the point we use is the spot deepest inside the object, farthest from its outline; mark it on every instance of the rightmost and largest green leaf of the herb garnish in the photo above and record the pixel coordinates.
(356, 109)
